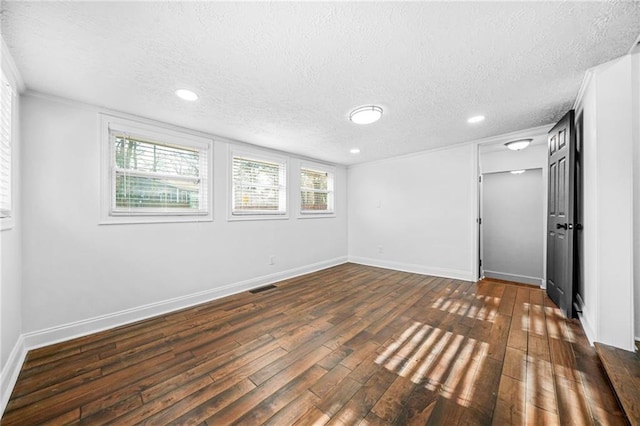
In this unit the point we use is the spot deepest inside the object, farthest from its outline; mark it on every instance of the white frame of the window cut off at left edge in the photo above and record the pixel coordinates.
(7, 215)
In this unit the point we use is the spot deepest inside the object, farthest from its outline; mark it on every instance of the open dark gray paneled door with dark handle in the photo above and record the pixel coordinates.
(560, 223)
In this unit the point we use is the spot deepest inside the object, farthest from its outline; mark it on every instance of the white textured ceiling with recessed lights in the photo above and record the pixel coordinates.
(285, 75)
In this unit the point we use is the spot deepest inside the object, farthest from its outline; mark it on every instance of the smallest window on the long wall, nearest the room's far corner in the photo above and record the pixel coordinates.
(316, 189)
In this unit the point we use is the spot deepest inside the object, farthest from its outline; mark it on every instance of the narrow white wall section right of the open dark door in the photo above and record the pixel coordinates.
(608, 203)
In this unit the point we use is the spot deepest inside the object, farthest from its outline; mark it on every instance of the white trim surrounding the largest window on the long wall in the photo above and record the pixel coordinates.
(153, 132)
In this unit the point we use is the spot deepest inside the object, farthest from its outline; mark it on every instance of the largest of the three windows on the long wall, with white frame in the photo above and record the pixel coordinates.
(156, 173)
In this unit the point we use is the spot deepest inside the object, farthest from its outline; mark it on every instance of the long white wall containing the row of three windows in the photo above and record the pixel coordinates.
(79, 276)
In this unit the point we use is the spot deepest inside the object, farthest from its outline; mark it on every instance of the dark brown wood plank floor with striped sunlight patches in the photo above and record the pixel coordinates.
(344, 346)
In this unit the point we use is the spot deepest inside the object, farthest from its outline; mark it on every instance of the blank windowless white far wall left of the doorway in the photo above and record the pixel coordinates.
(416, 213)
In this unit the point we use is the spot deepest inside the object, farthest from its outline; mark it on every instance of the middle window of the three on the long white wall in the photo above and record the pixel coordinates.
(259, 185)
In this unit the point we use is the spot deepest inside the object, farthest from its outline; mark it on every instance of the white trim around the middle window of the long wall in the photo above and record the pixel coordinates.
(257, 155)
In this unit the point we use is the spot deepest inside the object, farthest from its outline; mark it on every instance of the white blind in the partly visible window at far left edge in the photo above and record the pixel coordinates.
(6, 95)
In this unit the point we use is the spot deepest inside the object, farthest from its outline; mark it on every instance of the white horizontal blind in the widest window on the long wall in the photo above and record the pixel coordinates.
(154, 177)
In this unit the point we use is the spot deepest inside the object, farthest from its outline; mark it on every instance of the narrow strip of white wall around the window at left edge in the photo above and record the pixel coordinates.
(11, 254)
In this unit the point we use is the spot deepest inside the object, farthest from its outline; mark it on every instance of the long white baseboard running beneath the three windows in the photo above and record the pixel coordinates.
(81, 328)
